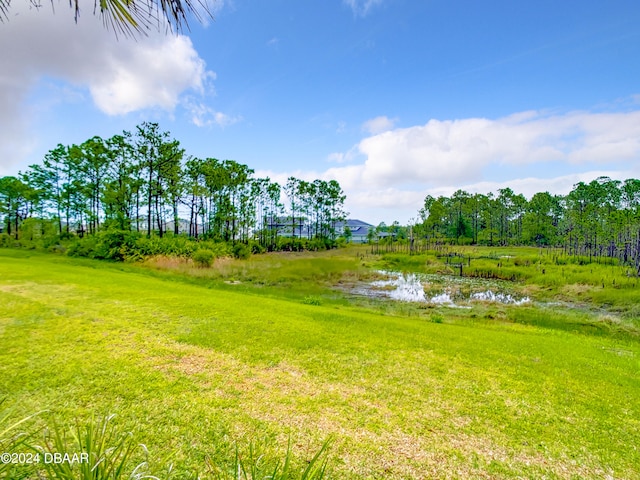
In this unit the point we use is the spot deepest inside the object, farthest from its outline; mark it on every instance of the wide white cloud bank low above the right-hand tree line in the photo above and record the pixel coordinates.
(400, 167)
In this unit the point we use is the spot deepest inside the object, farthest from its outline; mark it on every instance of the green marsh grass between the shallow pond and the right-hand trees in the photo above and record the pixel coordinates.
(547, 275)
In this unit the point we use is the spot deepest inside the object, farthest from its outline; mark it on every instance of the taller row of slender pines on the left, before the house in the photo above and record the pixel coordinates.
(145, 182)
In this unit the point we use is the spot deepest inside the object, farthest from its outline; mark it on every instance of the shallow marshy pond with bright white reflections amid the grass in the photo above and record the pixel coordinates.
(437, 289)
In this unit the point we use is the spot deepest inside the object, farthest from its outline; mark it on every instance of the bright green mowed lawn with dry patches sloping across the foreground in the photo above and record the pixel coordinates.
(195, 368)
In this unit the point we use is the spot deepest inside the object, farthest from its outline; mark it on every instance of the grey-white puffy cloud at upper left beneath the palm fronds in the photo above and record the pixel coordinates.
(122, 75)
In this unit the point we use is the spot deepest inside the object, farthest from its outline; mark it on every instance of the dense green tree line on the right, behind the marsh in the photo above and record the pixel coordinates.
(596, 219)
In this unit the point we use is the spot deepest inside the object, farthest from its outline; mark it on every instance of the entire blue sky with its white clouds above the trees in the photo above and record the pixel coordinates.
(395, 99)
